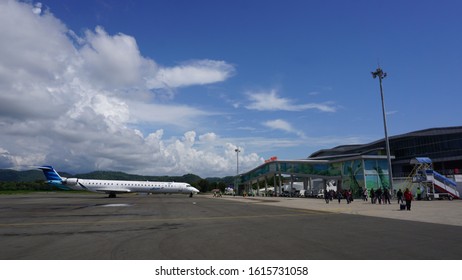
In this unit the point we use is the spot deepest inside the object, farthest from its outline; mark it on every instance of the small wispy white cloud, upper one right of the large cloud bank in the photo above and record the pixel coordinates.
(270, 101)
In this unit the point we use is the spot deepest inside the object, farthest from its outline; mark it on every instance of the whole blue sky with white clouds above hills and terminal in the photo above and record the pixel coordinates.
(173, 87)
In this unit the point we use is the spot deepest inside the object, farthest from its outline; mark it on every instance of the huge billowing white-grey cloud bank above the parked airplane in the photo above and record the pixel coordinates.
(82, 102)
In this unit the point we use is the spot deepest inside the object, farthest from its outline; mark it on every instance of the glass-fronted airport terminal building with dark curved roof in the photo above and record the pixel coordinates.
(356, 167)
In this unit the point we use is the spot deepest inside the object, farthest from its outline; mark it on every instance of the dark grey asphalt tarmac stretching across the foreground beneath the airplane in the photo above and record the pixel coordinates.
(70, 226)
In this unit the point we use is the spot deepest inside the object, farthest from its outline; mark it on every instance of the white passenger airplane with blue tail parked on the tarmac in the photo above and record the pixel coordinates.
(113, 187)
